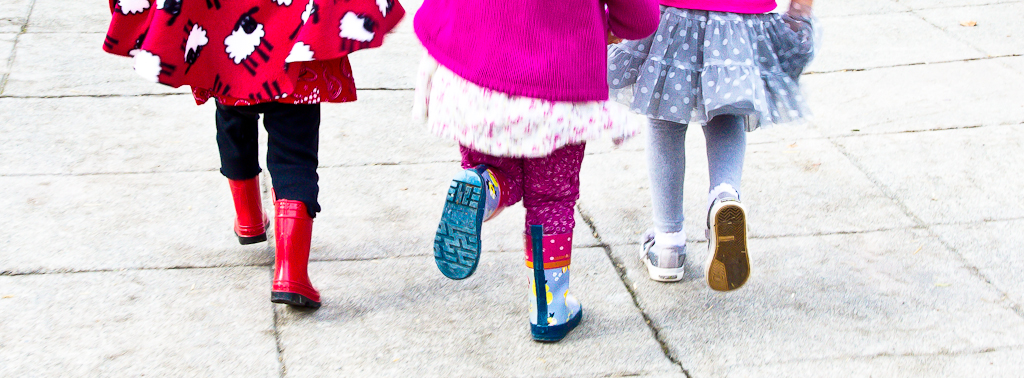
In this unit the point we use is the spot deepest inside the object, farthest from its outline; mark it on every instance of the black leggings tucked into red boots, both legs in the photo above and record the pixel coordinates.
(293, 139)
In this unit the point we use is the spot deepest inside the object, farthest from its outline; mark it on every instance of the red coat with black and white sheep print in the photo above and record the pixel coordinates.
(249, 52)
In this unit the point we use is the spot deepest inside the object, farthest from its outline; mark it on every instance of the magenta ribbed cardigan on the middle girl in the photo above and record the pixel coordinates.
(546, 50)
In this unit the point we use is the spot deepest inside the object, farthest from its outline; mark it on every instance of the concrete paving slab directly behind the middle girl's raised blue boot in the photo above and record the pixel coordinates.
(387, 212)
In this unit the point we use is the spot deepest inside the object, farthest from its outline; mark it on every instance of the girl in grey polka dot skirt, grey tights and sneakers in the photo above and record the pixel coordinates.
(733, 68)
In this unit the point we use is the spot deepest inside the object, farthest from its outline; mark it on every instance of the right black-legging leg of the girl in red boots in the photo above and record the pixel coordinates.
(292, 149)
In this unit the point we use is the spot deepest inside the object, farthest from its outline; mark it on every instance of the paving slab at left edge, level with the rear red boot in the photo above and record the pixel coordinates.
(103, 223)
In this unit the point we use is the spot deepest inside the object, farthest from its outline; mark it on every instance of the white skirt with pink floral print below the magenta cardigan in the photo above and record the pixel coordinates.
(503, 125)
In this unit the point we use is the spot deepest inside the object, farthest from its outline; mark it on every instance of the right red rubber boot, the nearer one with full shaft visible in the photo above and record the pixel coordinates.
(293, 228)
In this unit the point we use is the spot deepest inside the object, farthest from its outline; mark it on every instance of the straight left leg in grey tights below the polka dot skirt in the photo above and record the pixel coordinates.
(667, 166)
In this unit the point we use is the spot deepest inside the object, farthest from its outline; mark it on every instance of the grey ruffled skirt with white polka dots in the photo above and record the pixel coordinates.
(700, 65)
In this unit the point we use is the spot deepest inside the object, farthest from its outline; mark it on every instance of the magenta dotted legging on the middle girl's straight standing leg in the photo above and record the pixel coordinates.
(552, 188)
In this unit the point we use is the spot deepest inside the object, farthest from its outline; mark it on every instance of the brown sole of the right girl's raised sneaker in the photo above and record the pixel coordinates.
(730, 266)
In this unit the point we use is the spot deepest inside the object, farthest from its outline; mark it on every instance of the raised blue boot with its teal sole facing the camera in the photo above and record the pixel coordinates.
(476, 195)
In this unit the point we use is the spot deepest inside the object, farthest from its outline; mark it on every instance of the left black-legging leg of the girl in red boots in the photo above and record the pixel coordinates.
(238, 142)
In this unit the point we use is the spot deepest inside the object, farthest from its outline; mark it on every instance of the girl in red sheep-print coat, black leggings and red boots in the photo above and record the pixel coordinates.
(274, 58)
